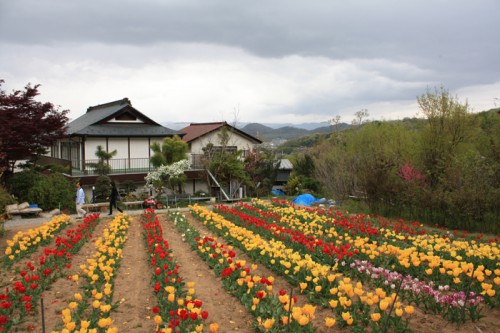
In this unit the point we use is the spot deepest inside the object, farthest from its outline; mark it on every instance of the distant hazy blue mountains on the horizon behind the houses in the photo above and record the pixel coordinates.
(273, 132)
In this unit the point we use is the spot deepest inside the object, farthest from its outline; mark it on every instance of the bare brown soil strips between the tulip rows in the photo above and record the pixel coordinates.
(135, 293)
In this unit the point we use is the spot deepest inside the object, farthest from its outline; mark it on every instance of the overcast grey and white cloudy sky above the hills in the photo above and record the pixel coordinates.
(252, 61)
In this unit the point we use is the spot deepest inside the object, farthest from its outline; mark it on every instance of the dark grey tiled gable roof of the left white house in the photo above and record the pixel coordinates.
(117, 118)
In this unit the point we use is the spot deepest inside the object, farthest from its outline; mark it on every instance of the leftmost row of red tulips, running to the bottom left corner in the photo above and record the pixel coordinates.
(20, 300)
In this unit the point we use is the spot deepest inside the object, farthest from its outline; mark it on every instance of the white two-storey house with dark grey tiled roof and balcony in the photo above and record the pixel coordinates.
(113, 126)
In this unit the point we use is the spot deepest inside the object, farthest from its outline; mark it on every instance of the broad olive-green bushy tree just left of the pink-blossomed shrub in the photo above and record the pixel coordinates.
(363, 161)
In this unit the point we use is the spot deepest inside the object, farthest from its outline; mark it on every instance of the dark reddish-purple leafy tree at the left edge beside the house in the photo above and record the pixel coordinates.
(28, 126)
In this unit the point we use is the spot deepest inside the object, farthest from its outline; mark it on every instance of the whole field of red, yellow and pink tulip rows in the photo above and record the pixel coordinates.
(263, 266)
